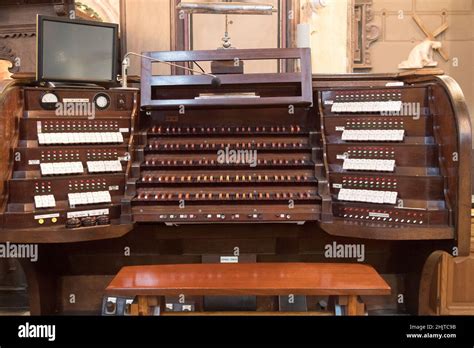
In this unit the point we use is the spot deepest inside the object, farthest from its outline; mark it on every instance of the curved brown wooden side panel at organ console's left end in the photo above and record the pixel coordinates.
(10, 111)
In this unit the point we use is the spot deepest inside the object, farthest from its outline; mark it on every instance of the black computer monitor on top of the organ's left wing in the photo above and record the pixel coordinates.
(76, 50)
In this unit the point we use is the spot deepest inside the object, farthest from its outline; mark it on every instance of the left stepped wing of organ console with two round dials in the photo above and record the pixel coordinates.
(68, 162)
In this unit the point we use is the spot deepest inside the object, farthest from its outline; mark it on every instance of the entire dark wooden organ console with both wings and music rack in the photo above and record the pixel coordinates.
(278, 165)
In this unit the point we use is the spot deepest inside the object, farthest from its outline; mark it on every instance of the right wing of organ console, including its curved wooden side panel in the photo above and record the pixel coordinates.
(387, 163)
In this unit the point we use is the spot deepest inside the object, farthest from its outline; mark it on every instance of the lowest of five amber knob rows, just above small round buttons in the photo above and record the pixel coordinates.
(168, 196)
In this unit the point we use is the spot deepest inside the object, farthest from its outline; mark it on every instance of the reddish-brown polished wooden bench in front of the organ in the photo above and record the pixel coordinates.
(151, 283)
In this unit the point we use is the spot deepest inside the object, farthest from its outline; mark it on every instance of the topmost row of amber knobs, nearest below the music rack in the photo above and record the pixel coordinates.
(223, 130)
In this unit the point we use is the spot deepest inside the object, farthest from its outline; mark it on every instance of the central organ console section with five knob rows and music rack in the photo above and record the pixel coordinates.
(203, 160)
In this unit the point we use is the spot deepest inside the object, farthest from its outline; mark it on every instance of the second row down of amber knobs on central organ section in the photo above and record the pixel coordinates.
(157, 144)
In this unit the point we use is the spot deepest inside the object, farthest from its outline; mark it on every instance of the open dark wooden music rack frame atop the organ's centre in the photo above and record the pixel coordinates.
(148, 80)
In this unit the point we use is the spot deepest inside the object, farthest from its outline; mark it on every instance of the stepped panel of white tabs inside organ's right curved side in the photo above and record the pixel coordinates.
(381, 189)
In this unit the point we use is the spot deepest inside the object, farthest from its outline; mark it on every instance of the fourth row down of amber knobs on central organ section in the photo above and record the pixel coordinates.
(224, 178)
